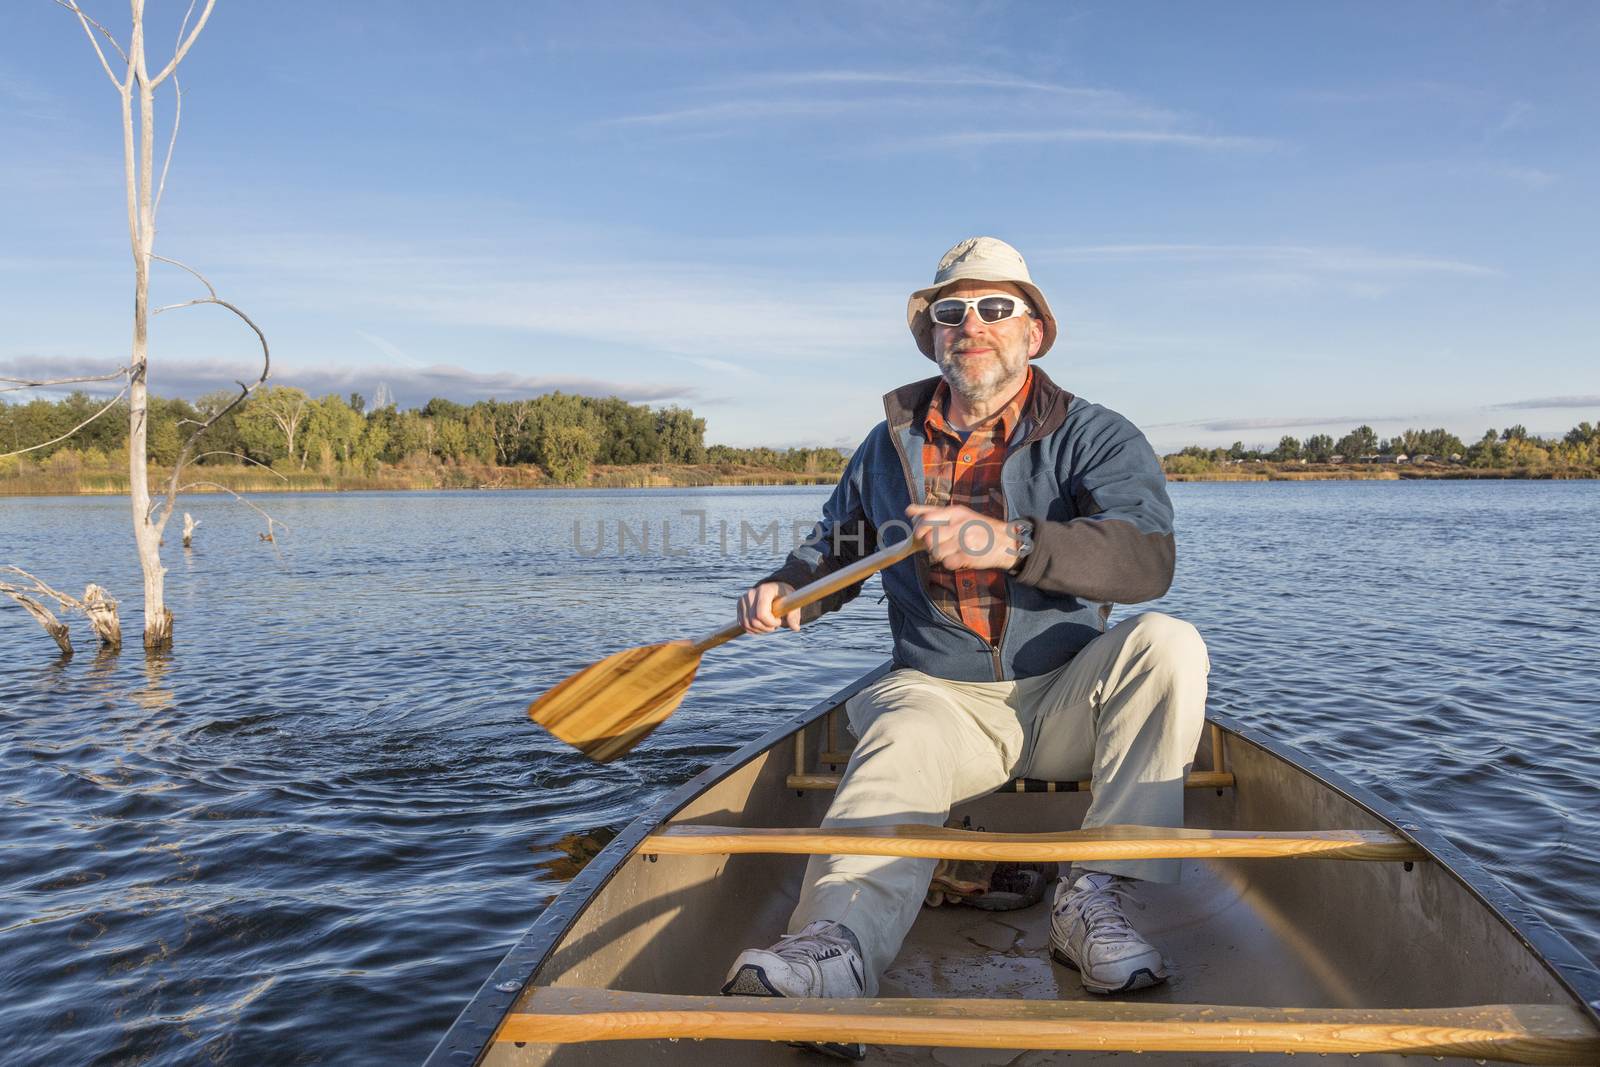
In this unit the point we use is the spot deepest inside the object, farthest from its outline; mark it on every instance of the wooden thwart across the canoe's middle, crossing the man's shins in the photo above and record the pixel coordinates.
(1108, 842)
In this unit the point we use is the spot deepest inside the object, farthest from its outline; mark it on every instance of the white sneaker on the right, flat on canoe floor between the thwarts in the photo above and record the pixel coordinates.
(1090, 933)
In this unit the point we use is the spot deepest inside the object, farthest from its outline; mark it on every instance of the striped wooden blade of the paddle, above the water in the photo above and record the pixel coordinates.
(607, 709)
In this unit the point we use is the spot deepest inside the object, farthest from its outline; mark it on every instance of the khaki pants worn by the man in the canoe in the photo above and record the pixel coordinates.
(1126, 713)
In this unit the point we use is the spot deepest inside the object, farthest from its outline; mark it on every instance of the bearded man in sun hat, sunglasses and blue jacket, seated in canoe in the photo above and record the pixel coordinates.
(1039, 511)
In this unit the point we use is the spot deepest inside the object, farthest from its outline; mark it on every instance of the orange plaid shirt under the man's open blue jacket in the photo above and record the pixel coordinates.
(969, 474)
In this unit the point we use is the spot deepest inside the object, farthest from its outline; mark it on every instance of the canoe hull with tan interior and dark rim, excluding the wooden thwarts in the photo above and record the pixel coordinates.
(1292, 933)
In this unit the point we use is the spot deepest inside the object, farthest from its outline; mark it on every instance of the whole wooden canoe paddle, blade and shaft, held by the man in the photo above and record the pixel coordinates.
(607, 709)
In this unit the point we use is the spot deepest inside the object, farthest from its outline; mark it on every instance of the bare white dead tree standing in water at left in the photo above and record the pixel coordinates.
(137, 90)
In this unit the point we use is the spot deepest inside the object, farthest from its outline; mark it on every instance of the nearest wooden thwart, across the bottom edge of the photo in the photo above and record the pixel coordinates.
(1518, 1034)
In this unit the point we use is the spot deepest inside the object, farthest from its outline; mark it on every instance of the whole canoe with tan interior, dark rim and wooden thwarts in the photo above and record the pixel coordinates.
(1313, 917)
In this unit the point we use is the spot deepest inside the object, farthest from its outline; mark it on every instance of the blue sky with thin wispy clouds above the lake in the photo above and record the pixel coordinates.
(1252, 220)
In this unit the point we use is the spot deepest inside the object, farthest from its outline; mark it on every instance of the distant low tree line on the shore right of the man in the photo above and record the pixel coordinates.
(1497, 450)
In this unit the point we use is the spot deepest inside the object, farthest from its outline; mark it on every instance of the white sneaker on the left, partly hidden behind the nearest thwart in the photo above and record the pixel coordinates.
(822, 961)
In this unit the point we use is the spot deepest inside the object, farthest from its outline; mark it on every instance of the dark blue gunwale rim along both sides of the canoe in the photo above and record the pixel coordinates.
(471, 1036)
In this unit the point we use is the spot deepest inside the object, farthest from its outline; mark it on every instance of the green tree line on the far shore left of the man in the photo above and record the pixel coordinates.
(287, 430)
